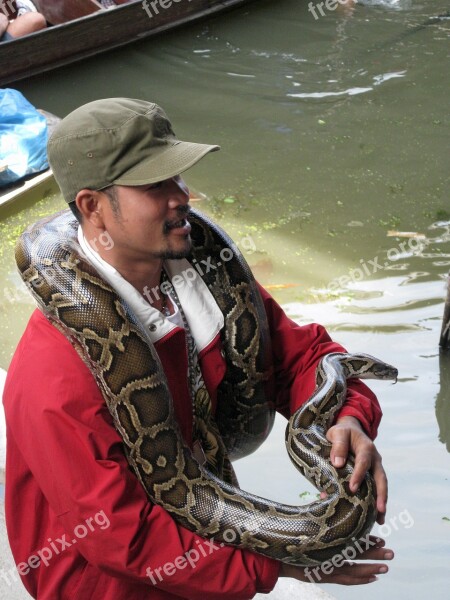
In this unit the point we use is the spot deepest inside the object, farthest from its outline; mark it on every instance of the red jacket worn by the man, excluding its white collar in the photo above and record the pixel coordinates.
(79, 522)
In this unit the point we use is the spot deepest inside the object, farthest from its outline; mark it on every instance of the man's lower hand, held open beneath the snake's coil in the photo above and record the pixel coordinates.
(347, 573)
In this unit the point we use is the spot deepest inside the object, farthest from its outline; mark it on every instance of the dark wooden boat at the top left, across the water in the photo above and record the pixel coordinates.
(82, 28)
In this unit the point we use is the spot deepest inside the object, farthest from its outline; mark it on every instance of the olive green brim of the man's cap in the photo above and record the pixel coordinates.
(166, 164)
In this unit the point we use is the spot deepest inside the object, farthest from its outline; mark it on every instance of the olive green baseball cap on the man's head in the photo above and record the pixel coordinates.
(118, 141)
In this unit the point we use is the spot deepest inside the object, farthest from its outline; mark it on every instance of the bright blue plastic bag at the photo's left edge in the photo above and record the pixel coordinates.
(23, 138)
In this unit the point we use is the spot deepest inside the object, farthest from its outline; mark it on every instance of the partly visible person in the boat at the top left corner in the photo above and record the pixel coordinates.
(22, 19)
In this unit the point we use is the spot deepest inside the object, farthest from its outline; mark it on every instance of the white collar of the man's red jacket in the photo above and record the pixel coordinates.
(202, 313)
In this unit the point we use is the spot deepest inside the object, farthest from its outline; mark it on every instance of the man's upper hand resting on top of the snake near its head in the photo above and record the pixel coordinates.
(348, 436)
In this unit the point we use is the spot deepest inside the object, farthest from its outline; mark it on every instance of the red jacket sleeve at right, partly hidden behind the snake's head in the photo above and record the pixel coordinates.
(297, 350)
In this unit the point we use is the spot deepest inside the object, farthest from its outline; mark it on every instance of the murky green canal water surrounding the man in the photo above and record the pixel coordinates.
(334, 135)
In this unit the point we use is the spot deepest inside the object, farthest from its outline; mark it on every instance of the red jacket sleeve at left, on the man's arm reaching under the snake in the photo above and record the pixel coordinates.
(67, 438)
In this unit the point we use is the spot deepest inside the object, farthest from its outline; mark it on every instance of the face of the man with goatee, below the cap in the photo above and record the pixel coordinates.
(149, 222)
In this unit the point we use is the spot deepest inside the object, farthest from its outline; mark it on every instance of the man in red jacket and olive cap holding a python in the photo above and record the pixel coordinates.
(83, 526)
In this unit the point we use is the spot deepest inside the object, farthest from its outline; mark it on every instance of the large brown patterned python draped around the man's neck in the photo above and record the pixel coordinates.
(128, 371)
